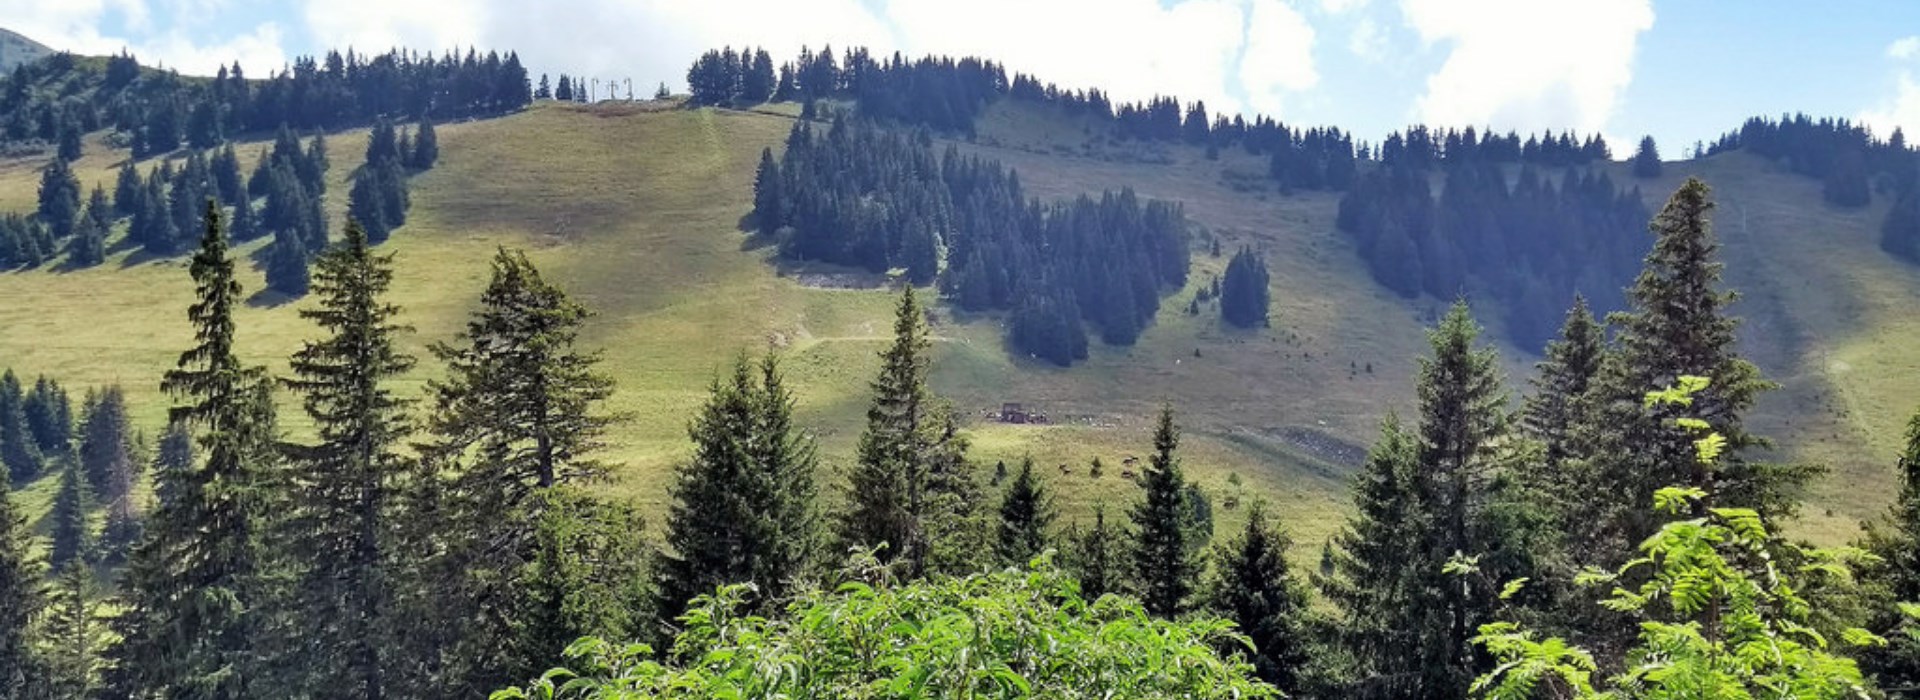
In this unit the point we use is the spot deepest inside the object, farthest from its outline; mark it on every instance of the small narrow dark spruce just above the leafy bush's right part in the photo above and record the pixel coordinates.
(1164, 563)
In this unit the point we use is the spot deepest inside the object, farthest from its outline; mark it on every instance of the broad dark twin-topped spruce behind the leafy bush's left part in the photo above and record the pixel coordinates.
(744, 503)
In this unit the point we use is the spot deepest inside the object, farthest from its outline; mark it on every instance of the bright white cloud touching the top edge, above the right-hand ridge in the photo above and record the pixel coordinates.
(1529, 64)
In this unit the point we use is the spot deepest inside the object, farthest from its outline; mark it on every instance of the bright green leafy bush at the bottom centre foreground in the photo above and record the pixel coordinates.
(997, 636)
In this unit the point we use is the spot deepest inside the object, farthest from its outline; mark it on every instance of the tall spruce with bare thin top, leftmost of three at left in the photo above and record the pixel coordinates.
(197, 582)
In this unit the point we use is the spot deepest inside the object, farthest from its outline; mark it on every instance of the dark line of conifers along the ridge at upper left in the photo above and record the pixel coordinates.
(60, 99)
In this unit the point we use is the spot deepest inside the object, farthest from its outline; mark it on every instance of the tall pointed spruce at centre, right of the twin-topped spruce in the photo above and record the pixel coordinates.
(911, 459)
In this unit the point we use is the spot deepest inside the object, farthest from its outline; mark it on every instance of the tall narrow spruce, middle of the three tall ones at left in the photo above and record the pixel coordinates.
(343, 523)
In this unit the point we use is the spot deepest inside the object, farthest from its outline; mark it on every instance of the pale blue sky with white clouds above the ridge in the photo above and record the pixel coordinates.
(1677, 70)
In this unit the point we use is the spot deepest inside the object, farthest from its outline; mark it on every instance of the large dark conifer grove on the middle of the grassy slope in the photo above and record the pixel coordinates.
(880, 200)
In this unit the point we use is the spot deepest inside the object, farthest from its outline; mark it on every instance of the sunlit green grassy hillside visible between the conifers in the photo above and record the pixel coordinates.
(636, 212)
